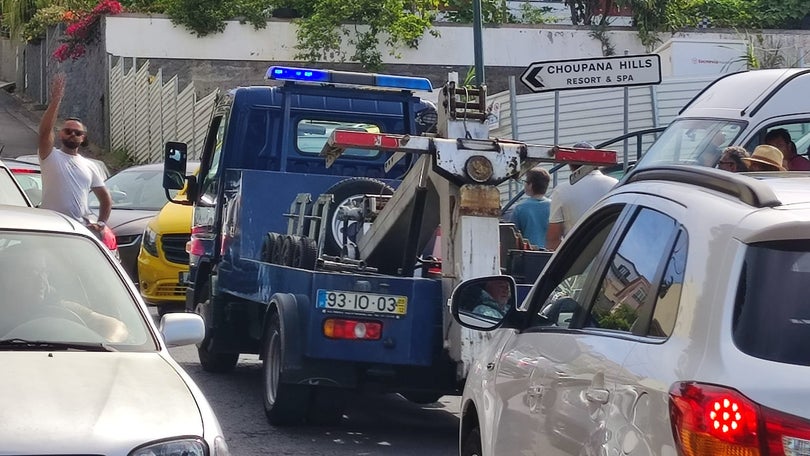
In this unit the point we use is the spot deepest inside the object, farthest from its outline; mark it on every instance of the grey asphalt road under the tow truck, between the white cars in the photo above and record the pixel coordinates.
(373, 424)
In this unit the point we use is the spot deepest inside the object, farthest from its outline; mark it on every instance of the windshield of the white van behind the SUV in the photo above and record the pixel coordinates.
(692, 141)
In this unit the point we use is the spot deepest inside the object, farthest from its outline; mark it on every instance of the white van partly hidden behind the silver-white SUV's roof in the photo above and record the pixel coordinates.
(736, 109)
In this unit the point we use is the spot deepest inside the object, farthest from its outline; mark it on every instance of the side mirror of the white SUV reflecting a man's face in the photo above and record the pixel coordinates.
(483, 302)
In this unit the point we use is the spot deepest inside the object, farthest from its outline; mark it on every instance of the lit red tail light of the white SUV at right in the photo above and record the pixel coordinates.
(715, 420)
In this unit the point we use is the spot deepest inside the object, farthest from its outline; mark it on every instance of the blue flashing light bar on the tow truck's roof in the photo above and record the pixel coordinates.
(348, 77)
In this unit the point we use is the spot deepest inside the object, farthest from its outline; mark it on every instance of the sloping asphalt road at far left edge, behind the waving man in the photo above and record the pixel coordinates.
(18, 131)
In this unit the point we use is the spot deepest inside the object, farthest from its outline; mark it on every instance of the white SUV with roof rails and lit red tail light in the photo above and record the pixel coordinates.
(675, 319)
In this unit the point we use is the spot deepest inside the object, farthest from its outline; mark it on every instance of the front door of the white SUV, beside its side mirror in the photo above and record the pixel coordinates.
(535, 351)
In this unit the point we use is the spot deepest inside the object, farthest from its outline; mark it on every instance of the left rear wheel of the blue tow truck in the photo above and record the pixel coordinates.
(285, 404)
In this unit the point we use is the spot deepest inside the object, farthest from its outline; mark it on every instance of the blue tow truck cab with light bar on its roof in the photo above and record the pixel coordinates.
(279, 132)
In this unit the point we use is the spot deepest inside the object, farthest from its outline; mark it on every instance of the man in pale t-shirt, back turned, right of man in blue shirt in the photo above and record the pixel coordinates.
(569, 202)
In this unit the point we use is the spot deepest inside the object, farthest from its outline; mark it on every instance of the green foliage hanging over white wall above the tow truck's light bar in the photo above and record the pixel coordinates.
(361, 25)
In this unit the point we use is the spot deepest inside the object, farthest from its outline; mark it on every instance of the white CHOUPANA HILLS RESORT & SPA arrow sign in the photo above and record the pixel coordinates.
(618, 71)
